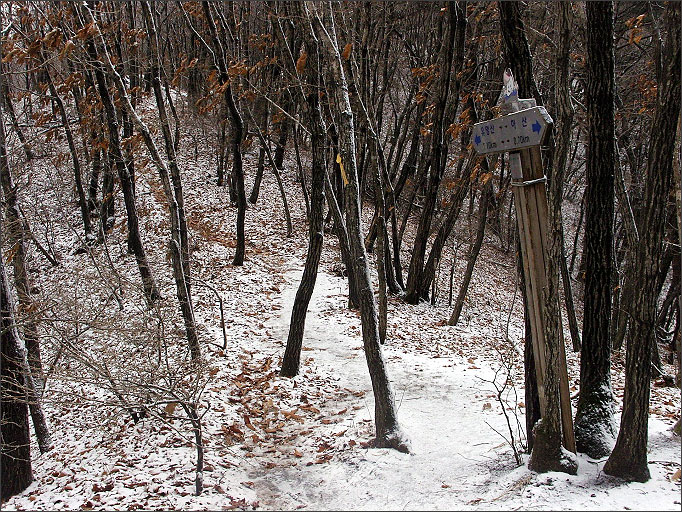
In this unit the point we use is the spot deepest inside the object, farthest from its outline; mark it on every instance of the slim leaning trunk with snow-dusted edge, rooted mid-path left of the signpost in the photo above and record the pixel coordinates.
(388, 431)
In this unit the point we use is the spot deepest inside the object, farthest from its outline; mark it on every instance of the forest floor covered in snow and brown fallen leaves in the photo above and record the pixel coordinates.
(277, 443)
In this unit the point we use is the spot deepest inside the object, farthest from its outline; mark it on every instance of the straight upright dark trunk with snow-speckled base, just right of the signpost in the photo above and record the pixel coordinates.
(594, 423)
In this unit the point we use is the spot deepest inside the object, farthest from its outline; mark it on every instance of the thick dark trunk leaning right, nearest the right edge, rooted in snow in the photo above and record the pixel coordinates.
(628, 459)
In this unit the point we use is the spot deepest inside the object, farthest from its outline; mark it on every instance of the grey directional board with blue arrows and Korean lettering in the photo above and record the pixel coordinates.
(522, 129)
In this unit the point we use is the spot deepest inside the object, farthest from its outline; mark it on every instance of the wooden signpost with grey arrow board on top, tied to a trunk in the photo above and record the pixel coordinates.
(521, 133)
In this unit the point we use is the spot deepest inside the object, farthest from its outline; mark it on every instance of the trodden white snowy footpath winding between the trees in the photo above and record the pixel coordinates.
(437, 400)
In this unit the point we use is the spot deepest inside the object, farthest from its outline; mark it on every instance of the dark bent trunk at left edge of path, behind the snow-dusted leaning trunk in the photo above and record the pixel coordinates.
(292, 355)
